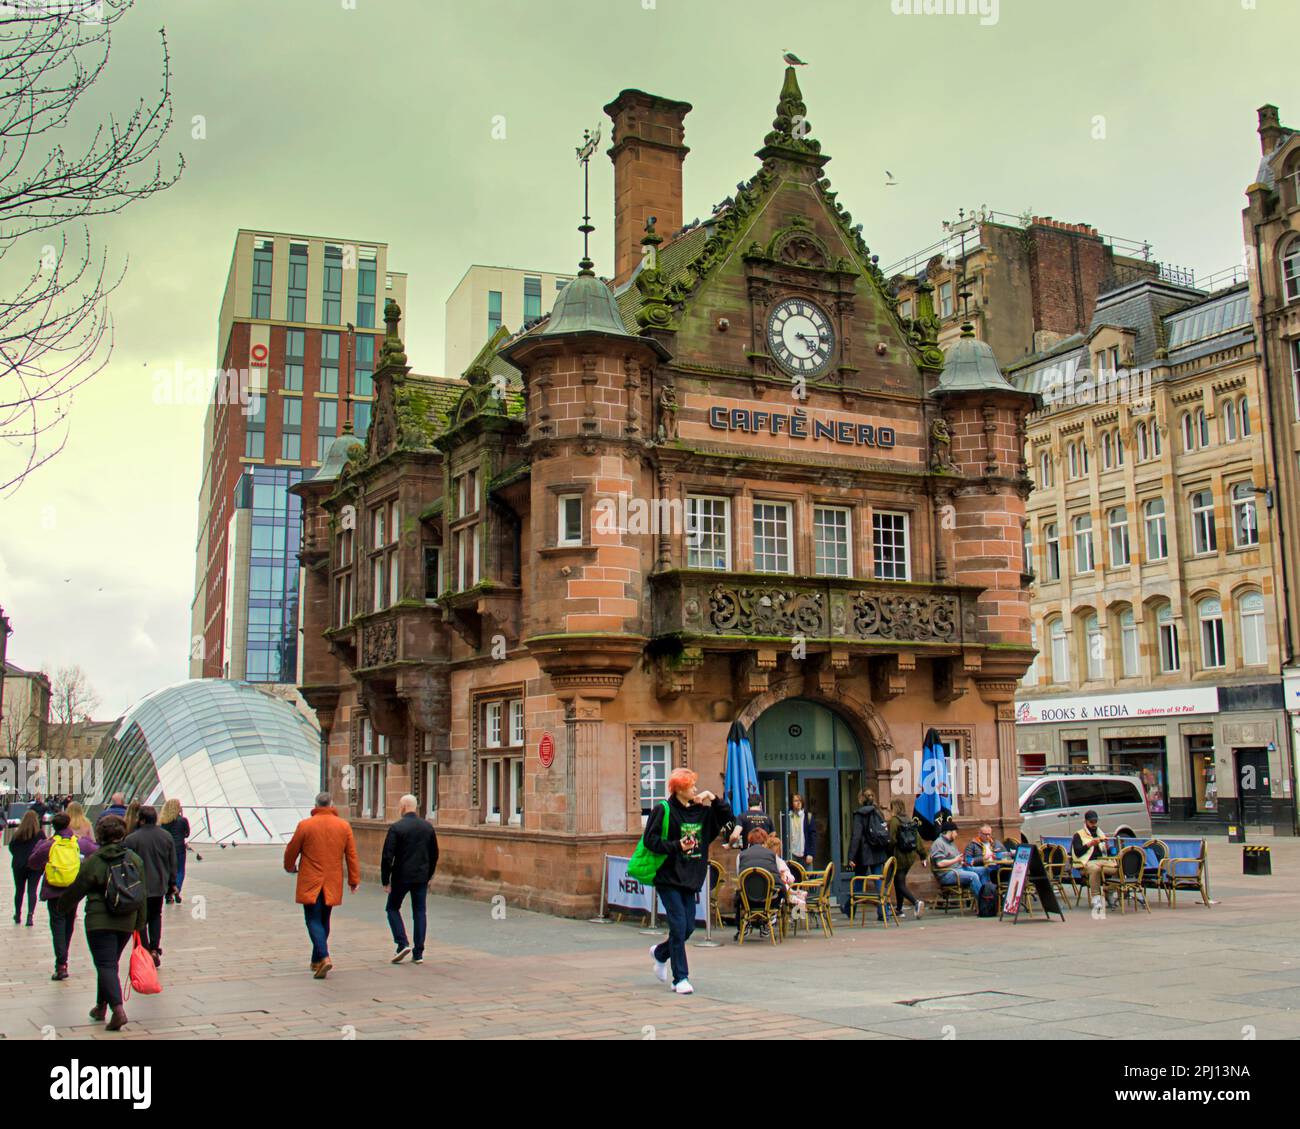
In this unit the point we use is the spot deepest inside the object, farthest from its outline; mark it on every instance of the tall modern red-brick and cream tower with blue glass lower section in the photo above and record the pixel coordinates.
(297, 343)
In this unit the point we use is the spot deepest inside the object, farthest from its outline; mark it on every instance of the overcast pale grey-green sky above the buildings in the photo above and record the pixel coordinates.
(374, 120)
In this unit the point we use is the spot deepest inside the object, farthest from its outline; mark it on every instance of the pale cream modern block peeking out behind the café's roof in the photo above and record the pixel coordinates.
(488, 299)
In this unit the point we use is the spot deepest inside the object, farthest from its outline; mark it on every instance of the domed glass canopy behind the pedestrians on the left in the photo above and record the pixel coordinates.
(244, 764)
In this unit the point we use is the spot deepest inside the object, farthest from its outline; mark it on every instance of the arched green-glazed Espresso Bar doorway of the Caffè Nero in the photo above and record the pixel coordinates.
(805, 747)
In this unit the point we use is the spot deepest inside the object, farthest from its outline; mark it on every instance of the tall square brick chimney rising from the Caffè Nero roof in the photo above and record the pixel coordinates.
(648, 154)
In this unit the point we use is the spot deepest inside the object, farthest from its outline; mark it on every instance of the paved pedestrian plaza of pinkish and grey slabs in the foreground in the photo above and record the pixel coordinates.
(236, 964)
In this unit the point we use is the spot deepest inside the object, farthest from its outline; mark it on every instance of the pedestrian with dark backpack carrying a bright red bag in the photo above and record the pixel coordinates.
(112, 883)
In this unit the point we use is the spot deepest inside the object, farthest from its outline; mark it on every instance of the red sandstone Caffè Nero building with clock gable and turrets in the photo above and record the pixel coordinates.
(739, 486)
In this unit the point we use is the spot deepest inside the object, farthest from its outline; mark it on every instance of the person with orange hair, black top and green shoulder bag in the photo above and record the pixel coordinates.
(695, 820)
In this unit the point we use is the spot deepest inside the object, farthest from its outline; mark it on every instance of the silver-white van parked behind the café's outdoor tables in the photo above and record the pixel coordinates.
(1054, 804)
